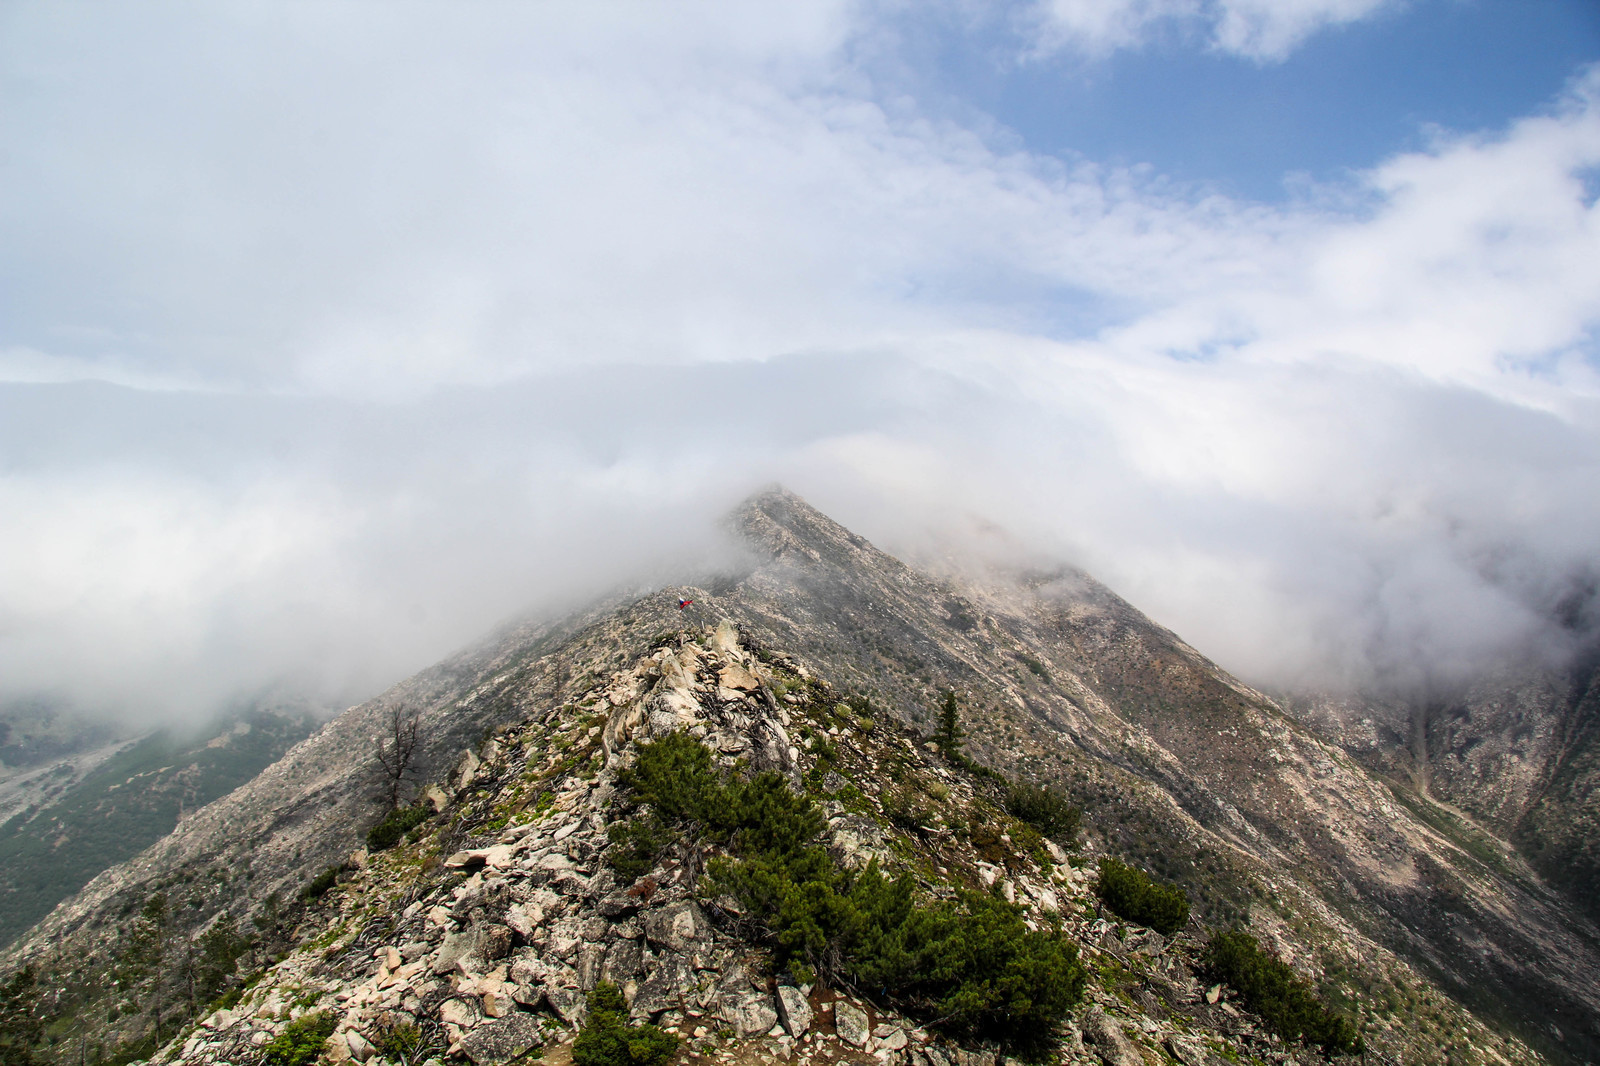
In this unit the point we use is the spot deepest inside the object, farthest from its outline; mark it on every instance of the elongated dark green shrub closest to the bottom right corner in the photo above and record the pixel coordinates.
(1284, 1000)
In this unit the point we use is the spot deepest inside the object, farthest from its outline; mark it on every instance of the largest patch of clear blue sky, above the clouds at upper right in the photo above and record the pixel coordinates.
(1343, 100)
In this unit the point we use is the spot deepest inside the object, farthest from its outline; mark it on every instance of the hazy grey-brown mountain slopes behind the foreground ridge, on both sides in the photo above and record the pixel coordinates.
(1178, 766)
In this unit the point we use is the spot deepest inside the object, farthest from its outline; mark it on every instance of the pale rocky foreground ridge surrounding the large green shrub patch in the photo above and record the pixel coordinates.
(482, 937)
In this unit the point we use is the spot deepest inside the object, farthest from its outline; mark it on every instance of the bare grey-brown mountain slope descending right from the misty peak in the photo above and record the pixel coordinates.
(1079, 687)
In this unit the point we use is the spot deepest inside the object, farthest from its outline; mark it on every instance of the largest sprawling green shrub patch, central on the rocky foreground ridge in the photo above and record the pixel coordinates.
(967, 964)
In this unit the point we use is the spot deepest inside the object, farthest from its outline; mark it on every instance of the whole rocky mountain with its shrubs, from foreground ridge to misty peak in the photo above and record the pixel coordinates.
(834, 811)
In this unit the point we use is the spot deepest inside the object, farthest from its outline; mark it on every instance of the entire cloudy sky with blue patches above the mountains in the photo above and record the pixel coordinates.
(332, 335)
